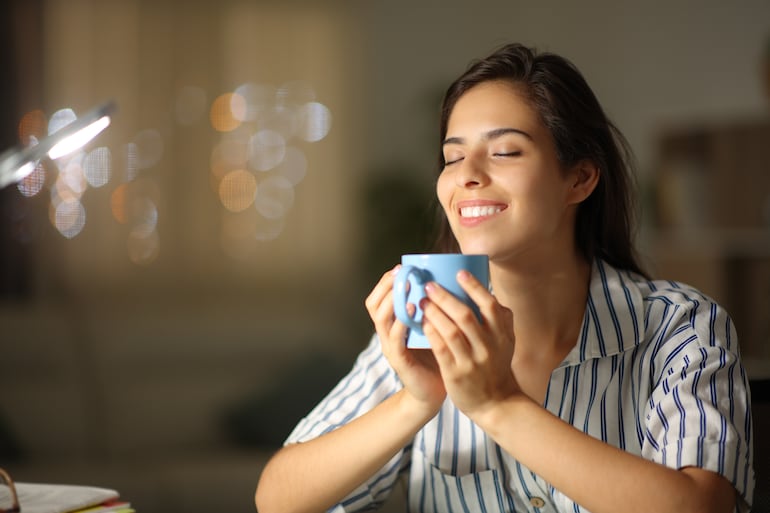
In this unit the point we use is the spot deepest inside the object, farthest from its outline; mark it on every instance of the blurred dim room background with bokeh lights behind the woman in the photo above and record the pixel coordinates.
(175, 296)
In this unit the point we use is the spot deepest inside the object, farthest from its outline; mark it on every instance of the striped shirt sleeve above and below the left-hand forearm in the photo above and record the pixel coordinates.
(370, 381)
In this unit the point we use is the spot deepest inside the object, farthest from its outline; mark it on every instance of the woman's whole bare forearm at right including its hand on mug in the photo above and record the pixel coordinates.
(474, 359)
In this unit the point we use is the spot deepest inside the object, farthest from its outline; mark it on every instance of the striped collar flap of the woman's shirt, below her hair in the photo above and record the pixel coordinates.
(614, 317)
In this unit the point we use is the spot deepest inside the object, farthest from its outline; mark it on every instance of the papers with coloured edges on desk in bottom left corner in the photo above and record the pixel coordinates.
(56, 498)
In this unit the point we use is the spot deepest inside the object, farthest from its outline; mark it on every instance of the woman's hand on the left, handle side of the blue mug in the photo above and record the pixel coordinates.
(417, 368)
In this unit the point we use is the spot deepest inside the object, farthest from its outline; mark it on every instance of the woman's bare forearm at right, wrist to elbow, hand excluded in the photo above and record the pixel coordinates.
(596, 475)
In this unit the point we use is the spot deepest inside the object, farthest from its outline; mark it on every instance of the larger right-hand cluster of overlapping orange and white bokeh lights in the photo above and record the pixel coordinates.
(255, 163)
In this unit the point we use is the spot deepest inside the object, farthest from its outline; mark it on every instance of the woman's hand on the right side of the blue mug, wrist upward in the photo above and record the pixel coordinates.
(475, 357)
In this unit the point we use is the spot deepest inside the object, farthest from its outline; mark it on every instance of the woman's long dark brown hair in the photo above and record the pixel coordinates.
(568, 108)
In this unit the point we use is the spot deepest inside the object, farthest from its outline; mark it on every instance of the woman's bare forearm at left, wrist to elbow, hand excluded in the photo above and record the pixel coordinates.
(314, 475)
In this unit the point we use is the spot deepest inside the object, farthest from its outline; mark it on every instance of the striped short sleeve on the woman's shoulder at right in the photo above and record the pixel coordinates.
(699, 412)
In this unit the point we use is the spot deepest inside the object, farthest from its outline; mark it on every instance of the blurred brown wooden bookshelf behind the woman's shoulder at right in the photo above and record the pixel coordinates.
(711, 225)
